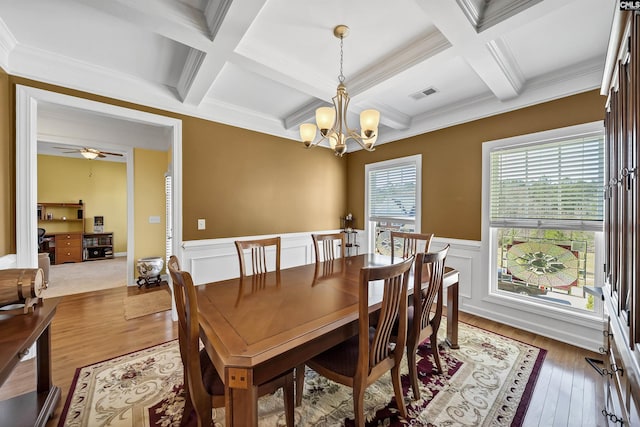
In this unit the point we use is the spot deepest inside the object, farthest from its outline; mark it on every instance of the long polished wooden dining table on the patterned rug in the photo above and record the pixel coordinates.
(257, 327)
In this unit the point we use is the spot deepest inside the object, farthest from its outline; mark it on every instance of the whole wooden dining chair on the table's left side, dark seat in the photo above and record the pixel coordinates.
(203, 386)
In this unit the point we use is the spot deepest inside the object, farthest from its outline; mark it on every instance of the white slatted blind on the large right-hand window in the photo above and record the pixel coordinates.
(549, 183)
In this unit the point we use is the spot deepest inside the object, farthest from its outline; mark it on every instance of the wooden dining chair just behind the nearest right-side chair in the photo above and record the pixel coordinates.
(423, 321)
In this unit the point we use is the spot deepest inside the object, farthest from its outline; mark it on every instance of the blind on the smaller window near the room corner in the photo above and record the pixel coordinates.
(392, 192)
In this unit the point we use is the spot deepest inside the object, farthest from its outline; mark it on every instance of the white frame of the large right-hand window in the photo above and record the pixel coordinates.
(489, 233)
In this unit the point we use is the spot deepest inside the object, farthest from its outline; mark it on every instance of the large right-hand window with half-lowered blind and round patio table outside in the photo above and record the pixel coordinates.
(545, 215)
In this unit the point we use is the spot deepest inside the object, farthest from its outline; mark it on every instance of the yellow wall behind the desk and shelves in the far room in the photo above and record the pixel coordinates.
(102, 187)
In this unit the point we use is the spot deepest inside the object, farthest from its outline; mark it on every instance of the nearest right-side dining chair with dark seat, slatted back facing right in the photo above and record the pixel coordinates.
(362, 359)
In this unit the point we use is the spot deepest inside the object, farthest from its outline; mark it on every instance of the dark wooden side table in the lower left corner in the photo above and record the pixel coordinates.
(18, 332)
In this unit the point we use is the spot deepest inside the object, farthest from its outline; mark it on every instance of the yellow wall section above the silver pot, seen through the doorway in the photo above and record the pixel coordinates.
(149, 200)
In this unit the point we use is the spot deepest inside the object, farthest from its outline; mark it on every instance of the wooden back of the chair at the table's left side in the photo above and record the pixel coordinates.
(189, 338)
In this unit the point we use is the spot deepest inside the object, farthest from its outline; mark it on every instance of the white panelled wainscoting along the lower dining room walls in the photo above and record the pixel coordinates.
(217, 259)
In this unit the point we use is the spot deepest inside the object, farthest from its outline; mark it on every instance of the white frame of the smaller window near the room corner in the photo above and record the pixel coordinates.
(415, 160)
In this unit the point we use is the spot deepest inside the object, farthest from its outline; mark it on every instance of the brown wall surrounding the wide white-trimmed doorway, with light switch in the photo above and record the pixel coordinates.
(241, 182)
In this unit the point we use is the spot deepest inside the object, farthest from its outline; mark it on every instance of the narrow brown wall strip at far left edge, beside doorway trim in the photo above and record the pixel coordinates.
(7, 169)
